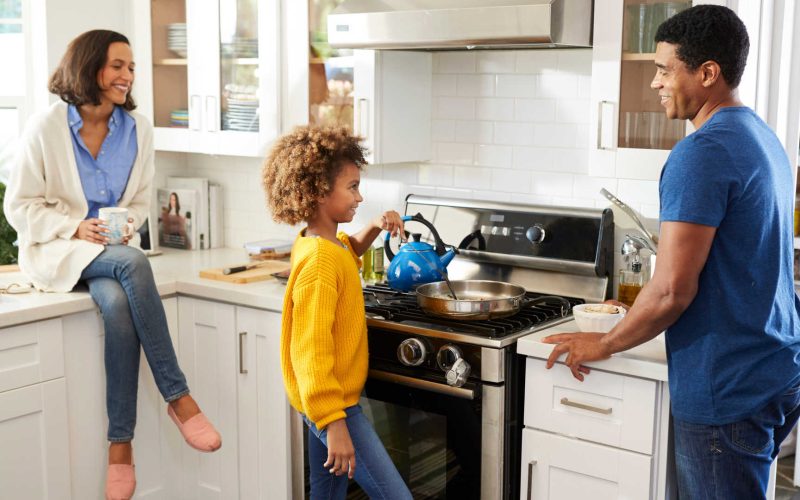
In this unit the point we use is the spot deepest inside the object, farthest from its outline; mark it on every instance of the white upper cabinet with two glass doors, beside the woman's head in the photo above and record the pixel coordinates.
(215, 72)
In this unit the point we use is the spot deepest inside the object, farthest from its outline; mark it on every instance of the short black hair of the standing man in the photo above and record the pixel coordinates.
(709, 33)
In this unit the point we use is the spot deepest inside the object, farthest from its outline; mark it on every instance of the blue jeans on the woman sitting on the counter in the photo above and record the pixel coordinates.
(121, 283)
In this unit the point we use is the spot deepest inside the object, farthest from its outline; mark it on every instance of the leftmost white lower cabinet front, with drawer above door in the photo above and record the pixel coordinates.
(34, 462)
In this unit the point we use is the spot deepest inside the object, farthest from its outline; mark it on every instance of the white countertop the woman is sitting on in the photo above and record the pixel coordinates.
(175, 271)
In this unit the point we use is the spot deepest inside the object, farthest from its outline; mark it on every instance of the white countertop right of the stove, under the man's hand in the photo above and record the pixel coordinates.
(648, 360)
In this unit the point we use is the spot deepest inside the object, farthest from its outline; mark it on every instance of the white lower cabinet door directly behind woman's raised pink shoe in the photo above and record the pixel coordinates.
(208, 354)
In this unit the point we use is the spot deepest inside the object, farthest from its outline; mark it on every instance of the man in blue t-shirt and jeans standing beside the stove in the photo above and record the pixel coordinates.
(723, 287)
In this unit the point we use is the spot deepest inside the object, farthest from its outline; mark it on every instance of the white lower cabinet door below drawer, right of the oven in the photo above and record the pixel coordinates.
(559, 468)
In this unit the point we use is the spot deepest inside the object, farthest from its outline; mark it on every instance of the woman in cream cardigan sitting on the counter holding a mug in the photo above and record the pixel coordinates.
(85, 153)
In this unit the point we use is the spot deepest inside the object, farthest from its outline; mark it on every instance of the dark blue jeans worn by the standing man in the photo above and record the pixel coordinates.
(732, 461)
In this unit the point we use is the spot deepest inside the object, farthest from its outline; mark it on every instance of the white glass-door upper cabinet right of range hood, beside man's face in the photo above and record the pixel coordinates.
(631, 134)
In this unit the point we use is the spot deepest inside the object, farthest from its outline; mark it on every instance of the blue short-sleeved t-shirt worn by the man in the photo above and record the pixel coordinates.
(737, 346)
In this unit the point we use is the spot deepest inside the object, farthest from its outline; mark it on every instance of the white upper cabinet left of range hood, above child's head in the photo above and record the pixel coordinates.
(383, 96)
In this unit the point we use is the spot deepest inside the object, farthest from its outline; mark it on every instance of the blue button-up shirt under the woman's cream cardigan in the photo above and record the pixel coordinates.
(104, 178)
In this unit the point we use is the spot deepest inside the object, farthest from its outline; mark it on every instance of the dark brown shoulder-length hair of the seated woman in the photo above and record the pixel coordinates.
(75, 78)
